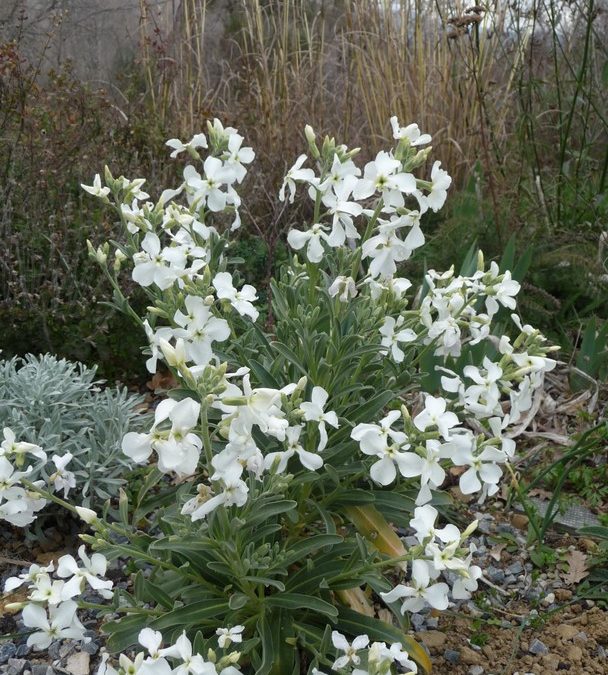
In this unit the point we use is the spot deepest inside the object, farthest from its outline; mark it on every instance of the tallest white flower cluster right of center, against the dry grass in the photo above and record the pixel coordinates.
(344, 190)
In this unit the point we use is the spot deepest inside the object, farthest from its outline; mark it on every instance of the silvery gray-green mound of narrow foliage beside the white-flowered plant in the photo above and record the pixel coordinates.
(60, 406)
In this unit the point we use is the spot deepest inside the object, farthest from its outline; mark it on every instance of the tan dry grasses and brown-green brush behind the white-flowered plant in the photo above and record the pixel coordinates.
(513, 94)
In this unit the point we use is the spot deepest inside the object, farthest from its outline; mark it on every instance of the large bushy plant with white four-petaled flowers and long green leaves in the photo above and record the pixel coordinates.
(263, 539)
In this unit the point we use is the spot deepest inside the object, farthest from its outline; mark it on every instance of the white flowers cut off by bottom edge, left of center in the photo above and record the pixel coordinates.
(185, 660)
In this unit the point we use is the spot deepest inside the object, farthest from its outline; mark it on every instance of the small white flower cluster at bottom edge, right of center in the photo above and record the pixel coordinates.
(361, 658)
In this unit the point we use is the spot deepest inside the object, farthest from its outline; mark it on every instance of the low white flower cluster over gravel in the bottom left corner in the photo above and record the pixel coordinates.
(51, 610)
